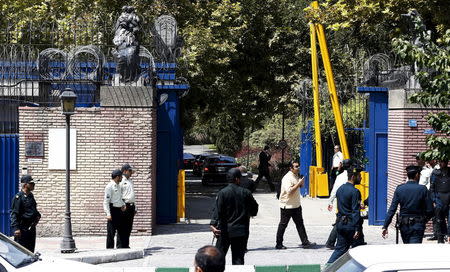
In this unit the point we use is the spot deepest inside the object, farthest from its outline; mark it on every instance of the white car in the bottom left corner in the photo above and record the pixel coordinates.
(14, 257)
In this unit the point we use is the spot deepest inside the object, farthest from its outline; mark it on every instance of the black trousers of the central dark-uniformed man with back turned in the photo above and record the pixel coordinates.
(238, 246)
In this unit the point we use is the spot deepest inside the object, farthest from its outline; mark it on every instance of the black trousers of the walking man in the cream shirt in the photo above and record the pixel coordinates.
(285, 216)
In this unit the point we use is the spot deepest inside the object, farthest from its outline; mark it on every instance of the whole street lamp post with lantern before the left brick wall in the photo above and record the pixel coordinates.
(68, 98)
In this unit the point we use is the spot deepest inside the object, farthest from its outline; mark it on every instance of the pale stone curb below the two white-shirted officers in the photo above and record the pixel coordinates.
(107, 257)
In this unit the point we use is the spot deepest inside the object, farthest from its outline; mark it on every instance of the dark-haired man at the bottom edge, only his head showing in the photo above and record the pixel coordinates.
(209, 259)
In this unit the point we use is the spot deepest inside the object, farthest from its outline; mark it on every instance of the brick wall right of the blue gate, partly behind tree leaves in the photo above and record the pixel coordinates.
(404, 143)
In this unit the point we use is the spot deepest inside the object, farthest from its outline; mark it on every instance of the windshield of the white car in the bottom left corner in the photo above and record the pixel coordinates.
(15, 254)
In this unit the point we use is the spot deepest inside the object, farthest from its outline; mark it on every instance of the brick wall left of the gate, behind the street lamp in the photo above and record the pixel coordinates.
(106, 138)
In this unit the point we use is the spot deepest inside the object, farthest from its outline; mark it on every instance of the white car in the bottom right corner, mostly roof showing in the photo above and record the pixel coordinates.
(394, 258)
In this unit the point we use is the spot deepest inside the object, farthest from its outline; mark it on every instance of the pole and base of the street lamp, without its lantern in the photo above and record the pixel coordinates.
(67, 244)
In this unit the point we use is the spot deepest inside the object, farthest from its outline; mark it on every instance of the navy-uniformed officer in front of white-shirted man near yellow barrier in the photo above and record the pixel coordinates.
(349, 221)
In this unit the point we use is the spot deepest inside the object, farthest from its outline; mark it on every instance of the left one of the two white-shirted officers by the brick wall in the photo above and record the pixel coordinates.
(114, 208)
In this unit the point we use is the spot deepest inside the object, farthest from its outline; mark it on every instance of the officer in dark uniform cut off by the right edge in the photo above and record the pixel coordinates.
(440, 191)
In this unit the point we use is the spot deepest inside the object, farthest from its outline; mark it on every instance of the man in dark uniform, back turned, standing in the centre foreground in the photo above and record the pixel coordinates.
(231, 217)
